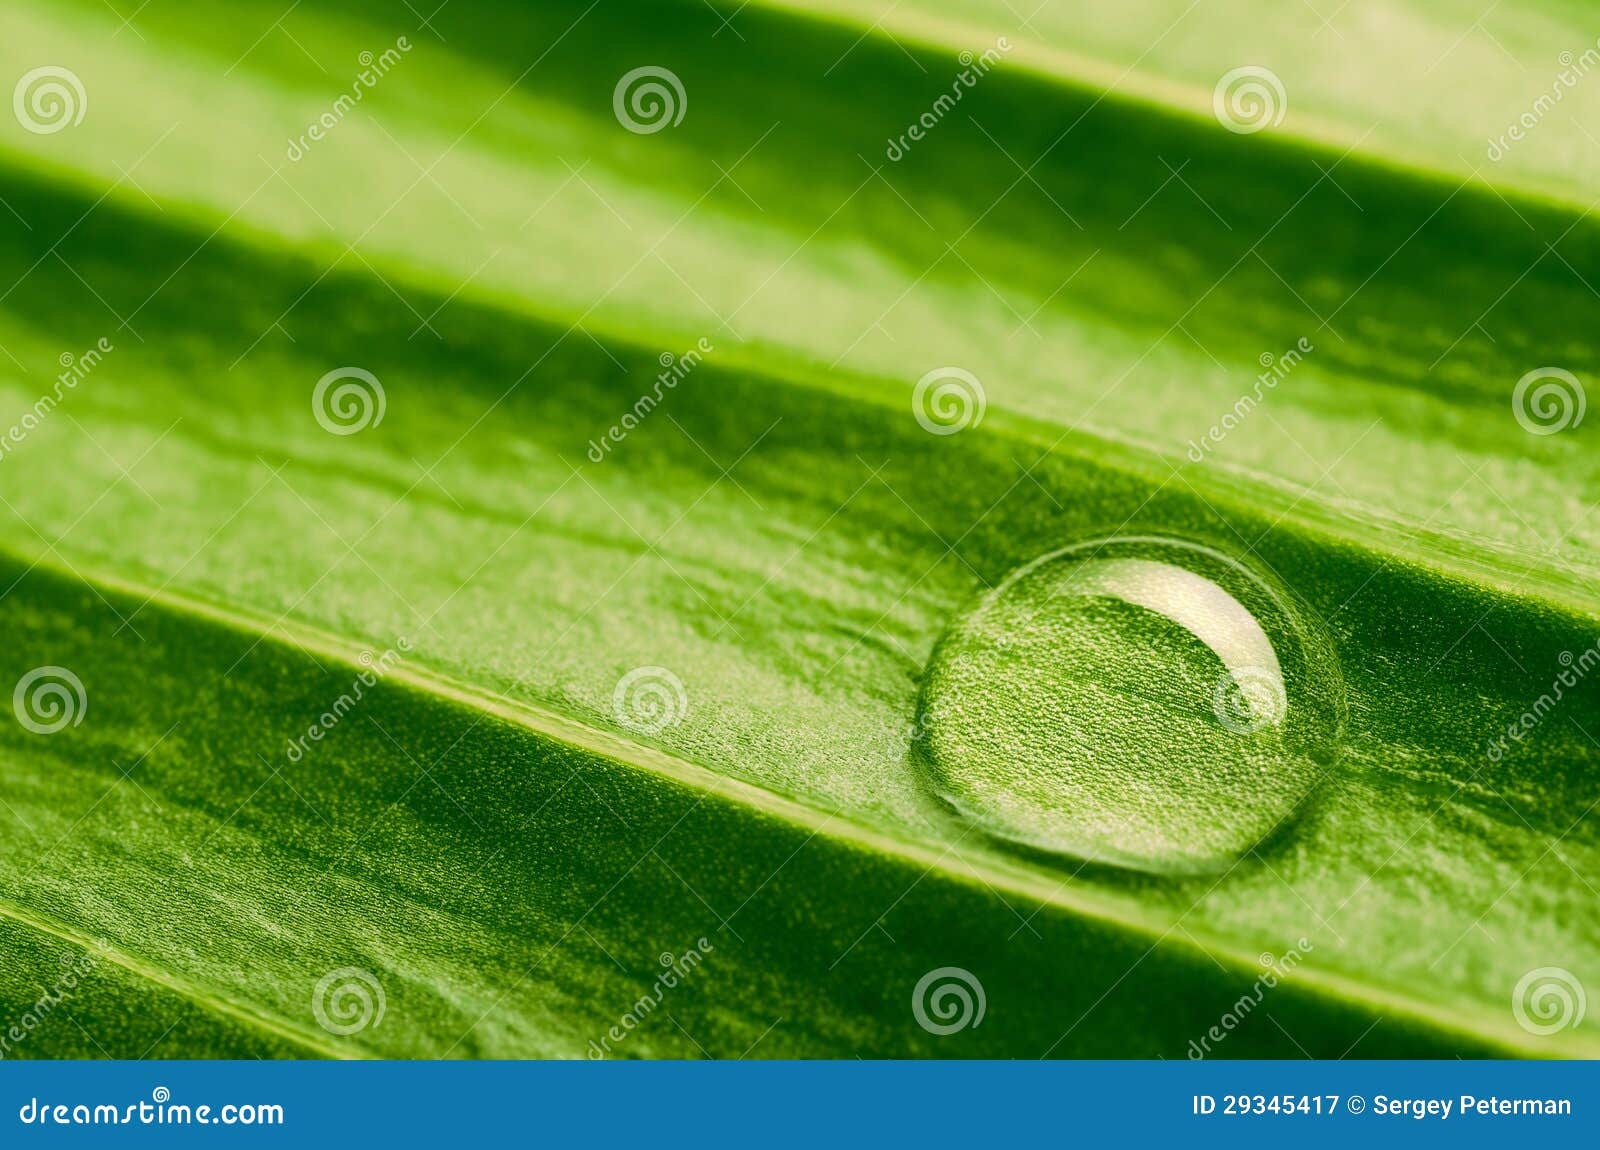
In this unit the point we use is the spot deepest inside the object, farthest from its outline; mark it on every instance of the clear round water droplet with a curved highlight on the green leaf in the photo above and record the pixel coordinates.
(1137, 701)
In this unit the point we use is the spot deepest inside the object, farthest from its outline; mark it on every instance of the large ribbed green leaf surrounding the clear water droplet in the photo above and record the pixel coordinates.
(498, 845)
